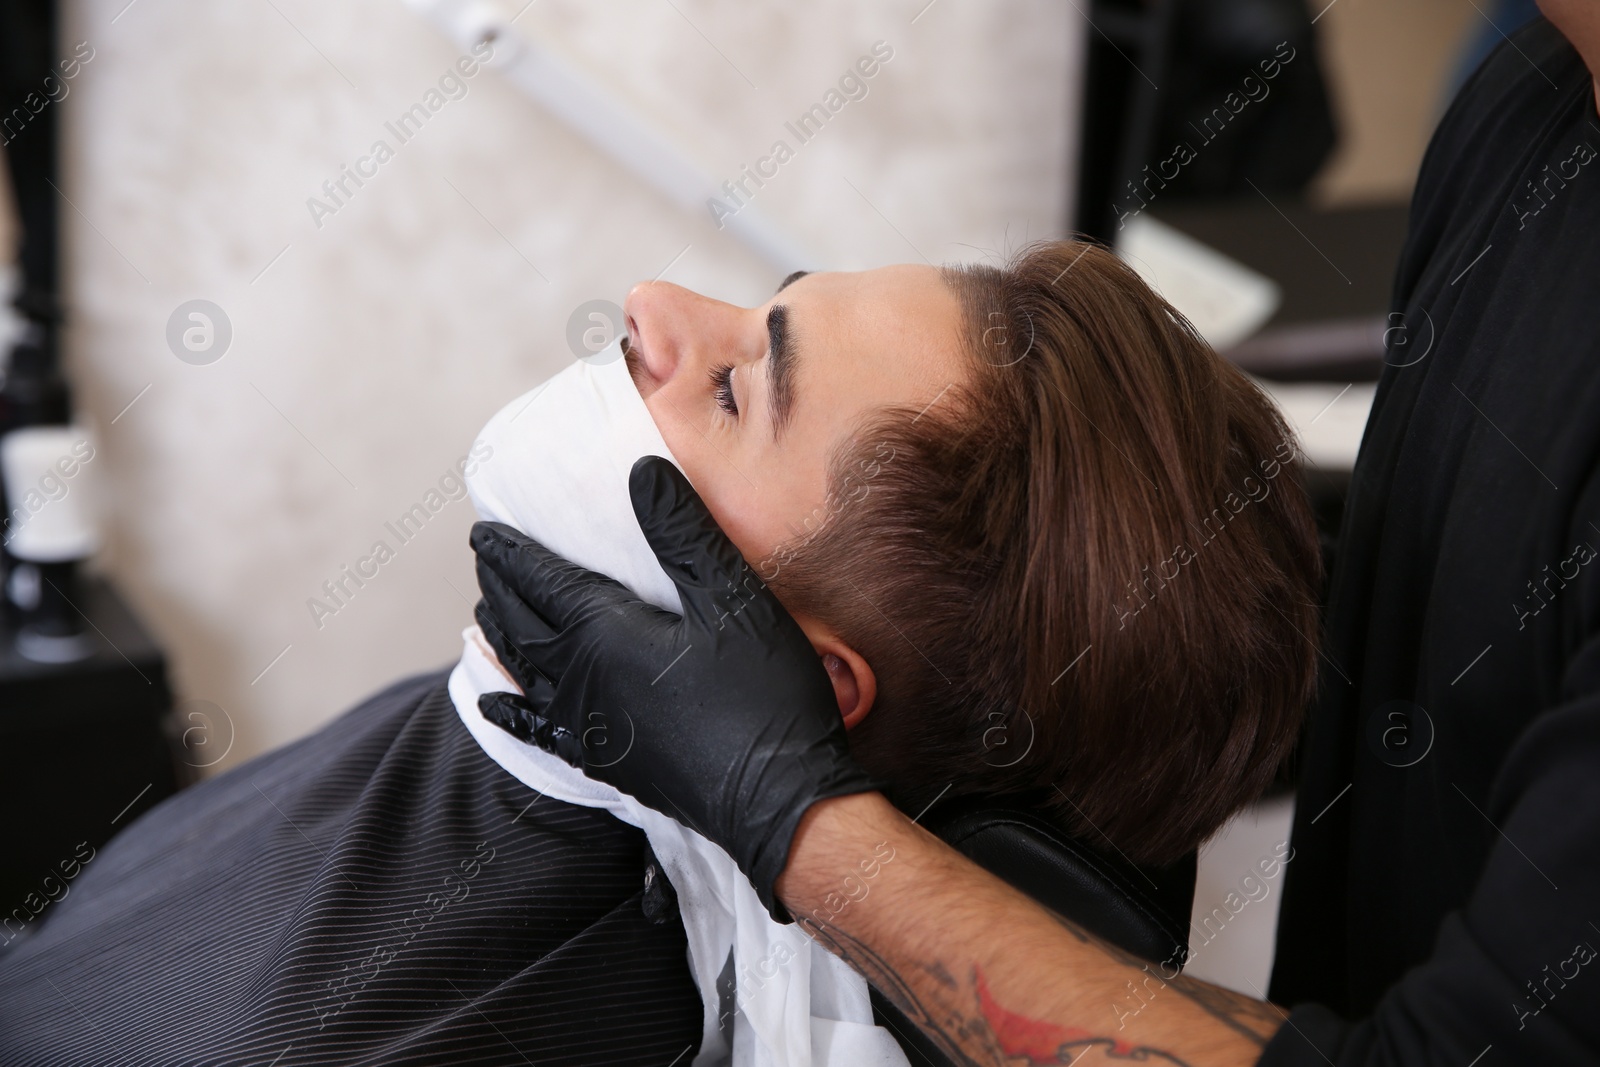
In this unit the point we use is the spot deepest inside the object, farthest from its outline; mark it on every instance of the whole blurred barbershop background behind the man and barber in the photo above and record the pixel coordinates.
(276, 340)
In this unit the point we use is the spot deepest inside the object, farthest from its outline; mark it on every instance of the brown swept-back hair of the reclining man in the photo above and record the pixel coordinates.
(1098, 551)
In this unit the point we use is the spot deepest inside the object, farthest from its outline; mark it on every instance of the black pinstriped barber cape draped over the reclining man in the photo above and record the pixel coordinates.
(378, 893)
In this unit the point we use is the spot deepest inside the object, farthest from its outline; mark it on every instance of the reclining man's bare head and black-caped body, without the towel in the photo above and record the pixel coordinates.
(1023, 514)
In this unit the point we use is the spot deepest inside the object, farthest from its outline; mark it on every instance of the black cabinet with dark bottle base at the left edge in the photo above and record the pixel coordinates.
(82, 754)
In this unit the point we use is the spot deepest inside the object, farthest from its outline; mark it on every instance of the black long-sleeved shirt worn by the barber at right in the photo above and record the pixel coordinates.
(1446, 885)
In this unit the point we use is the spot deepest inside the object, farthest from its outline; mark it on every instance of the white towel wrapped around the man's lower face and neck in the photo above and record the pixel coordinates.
(558, 470)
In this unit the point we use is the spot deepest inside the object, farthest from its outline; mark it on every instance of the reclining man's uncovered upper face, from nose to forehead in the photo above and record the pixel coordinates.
(754, 401)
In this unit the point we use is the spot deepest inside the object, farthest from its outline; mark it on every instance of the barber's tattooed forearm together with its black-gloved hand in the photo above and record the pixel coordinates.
(737, 733)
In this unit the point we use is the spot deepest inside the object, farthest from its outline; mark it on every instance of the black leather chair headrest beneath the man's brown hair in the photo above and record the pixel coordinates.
(1140, 909)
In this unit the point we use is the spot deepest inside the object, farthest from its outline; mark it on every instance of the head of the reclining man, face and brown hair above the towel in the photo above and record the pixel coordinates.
(1014, 510)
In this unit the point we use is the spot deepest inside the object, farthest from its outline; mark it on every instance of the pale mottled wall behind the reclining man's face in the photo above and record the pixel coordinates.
(369, 351)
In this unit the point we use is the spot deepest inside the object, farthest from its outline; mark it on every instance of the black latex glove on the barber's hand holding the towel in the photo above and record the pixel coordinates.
(722, 719)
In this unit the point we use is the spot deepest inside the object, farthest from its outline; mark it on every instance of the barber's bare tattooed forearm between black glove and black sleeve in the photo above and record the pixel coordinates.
(985, 970)
